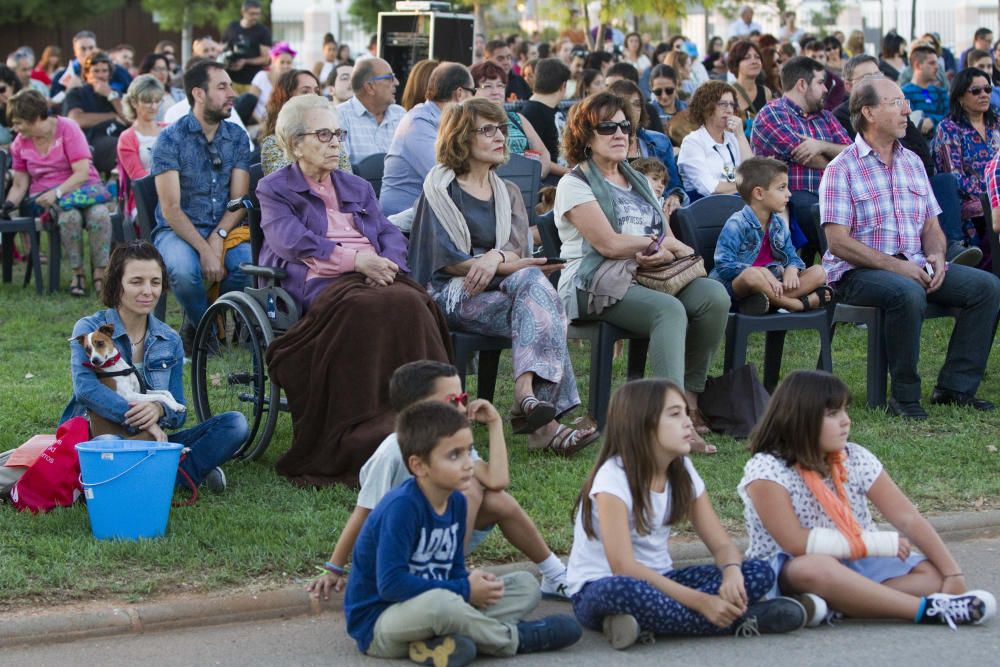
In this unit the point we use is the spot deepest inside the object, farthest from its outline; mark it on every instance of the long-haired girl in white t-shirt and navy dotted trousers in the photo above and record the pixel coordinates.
(621, 577)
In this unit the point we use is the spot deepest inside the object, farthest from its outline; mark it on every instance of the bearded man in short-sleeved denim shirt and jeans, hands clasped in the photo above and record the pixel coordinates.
(199, 164)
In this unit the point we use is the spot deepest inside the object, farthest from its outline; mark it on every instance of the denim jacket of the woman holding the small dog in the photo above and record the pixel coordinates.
(163, 369)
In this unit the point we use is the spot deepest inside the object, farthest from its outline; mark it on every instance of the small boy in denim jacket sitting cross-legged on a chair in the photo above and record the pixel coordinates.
(754, 256)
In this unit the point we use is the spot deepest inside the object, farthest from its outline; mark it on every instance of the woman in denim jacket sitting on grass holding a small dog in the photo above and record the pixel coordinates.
(135, 279)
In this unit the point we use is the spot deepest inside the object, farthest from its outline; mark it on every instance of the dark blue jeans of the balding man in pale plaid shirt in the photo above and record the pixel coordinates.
(975, 292)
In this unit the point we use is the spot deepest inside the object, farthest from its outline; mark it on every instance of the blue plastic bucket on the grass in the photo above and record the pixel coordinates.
(128, 485)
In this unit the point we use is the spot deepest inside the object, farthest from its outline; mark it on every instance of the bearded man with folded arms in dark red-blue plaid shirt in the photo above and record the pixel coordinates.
(796, 129)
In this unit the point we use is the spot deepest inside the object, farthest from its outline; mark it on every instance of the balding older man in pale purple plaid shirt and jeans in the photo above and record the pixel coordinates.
(887, 250)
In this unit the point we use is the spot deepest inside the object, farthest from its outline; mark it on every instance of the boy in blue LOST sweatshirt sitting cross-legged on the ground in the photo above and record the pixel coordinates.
(409, 593)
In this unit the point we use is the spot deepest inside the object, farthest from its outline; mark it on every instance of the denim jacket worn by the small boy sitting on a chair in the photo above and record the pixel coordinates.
(739, 245)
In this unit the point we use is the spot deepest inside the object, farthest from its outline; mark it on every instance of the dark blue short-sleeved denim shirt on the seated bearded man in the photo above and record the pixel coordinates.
(183, 148)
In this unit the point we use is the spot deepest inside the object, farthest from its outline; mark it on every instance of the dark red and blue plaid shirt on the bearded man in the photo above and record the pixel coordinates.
(776, 131)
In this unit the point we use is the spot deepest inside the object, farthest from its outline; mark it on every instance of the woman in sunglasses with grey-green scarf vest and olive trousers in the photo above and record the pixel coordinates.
(611, 224)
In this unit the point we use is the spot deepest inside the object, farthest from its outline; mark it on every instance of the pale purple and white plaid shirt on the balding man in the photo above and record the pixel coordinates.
(885, 207)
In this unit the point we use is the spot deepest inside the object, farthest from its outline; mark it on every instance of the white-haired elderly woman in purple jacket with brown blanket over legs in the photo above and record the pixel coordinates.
(346, 269)
